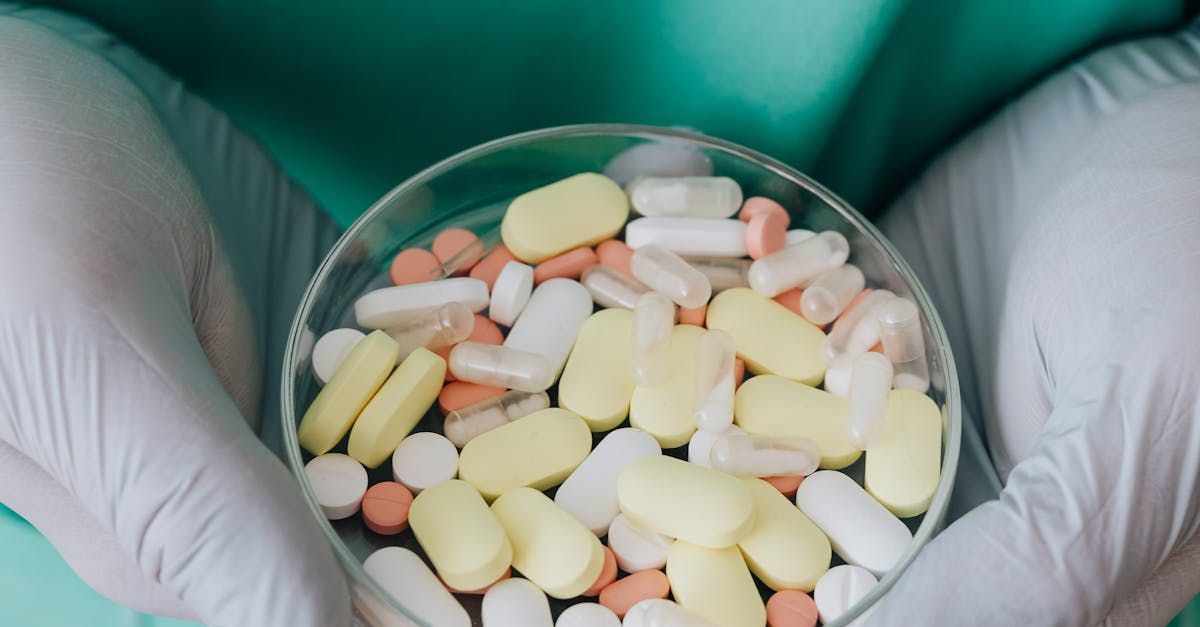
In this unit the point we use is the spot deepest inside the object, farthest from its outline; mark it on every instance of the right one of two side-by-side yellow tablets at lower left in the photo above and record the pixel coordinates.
(550, 548)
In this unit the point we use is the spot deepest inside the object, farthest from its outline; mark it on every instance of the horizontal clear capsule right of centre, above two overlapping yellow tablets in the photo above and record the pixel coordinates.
(759, 456)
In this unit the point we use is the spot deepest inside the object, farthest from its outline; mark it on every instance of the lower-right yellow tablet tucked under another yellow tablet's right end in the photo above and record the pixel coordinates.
(785, 550)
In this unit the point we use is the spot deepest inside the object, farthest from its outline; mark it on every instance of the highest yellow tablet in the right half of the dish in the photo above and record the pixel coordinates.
(770, 338)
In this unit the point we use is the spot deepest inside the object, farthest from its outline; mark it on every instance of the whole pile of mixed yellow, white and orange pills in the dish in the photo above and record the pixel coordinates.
(605, 450)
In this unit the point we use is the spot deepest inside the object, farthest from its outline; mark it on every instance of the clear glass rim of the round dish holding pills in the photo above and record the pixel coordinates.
(934, 517)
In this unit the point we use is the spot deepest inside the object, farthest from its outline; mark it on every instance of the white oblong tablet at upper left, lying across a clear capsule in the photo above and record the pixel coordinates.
(389, 307)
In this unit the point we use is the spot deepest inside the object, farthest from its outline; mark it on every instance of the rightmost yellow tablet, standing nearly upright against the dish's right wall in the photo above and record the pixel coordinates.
(903, 469)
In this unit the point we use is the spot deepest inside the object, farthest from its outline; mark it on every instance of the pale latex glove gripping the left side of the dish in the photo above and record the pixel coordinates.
(130, 361)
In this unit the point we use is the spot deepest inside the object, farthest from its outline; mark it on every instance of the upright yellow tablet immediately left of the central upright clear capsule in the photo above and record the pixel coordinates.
(597, 384)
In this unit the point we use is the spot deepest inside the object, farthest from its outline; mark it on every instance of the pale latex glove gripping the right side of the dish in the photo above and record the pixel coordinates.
(1063, 246)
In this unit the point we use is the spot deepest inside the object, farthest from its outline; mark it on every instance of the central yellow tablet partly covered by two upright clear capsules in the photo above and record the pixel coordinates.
(667, 411)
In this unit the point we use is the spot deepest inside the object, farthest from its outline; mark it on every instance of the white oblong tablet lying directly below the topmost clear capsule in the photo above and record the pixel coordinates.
(689, 236)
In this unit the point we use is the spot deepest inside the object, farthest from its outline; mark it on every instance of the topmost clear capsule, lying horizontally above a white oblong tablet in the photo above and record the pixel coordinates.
(686, 196)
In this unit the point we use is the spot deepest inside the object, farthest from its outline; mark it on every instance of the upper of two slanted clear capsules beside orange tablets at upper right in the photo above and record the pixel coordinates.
(799, 265)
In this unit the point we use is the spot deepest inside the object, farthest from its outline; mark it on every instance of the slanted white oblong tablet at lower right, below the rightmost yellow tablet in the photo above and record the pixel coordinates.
(861, 530)
